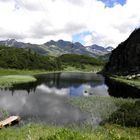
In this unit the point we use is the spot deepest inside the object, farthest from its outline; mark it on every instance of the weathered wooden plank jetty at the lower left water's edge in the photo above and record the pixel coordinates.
(9, 121)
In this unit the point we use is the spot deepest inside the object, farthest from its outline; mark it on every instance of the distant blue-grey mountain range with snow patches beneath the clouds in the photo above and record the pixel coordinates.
(57, 48)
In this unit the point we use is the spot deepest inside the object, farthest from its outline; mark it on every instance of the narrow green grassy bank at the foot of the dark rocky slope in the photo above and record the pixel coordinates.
(123, 79)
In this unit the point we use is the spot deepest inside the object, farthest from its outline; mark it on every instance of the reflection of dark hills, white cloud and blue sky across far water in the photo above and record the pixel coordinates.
(68, 84)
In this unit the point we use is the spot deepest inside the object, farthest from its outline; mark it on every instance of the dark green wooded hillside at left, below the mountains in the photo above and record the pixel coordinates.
(18, 58)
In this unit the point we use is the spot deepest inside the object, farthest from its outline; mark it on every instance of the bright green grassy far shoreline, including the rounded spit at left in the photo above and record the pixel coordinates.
(8, 77)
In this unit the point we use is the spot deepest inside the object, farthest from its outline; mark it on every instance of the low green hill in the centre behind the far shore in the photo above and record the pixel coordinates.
(74, 62)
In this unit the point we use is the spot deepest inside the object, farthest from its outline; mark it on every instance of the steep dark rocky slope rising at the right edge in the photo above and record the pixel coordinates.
(125, 59)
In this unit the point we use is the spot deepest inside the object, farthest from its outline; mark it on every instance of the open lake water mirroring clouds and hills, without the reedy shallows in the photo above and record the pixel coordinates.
(47, 99)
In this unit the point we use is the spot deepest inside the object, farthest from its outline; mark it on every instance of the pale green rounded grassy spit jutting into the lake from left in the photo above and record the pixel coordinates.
(9, 80)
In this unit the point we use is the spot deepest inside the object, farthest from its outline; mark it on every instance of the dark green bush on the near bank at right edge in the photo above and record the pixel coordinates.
(127, 115)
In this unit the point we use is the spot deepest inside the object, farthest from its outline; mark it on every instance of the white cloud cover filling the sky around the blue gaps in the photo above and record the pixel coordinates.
(38, 21)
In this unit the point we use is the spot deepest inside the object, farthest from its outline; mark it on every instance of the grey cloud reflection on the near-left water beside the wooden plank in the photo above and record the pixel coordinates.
(40, 107)
